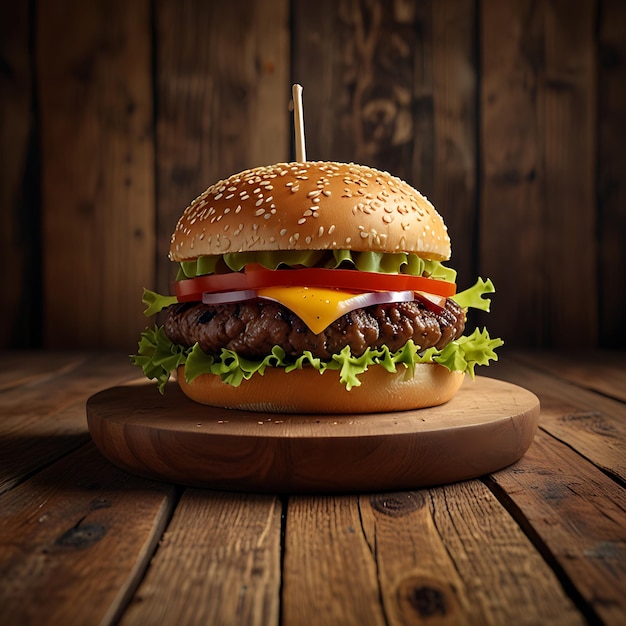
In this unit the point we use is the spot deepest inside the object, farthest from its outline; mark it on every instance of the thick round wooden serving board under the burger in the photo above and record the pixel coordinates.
(488, 425)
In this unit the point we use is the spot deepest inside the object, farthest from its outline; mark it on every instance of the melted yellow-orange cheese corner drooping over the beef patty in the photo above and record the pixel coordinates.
(317, 307)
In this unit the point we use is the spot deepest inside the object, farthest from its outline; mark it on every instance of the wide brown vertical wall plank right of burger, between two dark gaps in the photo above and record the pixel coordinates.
(539, 170)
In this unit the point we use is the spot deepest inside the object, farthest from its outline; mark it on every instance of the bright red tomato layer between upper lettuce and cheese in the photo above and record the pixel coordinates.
(258, 277)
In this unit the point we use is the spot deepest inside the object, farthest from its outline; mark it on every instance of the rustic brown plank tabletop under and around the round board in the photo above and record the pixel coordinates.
(540, 542)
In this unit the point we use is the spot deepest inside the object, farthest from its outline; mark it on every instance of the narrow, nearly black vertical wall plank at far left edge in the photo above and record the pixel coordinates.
(18, 237)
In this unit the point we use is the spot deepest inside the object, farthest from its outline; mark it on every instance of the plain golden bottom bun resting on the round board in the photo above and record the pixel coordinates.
(306, 391)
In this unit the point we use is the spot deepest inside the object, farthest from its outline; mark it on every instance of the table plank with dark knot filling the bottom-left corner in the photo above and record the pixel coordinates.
(75, 539)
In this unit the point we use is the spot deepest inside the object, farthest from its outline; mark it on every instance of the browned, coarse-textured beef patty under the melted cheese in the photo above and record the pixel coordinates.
(253, 328)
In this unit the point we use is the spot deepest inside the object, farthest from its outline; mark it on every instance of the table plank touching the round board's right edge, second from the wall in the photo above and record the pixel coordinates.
(591, 423)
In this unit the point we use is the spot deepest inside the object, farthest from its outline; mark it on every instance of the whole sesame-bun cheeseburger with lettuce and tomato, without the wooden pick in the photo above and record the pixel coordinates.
(314, 287)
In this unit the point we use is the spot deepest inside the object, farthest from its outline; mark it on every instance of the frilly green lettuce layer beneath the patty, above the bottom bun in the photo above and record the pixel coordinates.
(159, 357)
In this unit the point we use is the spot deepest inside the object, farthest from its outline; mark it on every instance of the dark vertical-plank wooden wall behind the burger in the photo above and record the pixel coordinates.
(509, 114)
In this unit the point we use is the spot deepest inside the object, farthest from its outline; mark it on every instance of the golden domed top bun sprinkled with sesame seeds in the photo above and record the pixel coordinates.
(310, 206)
